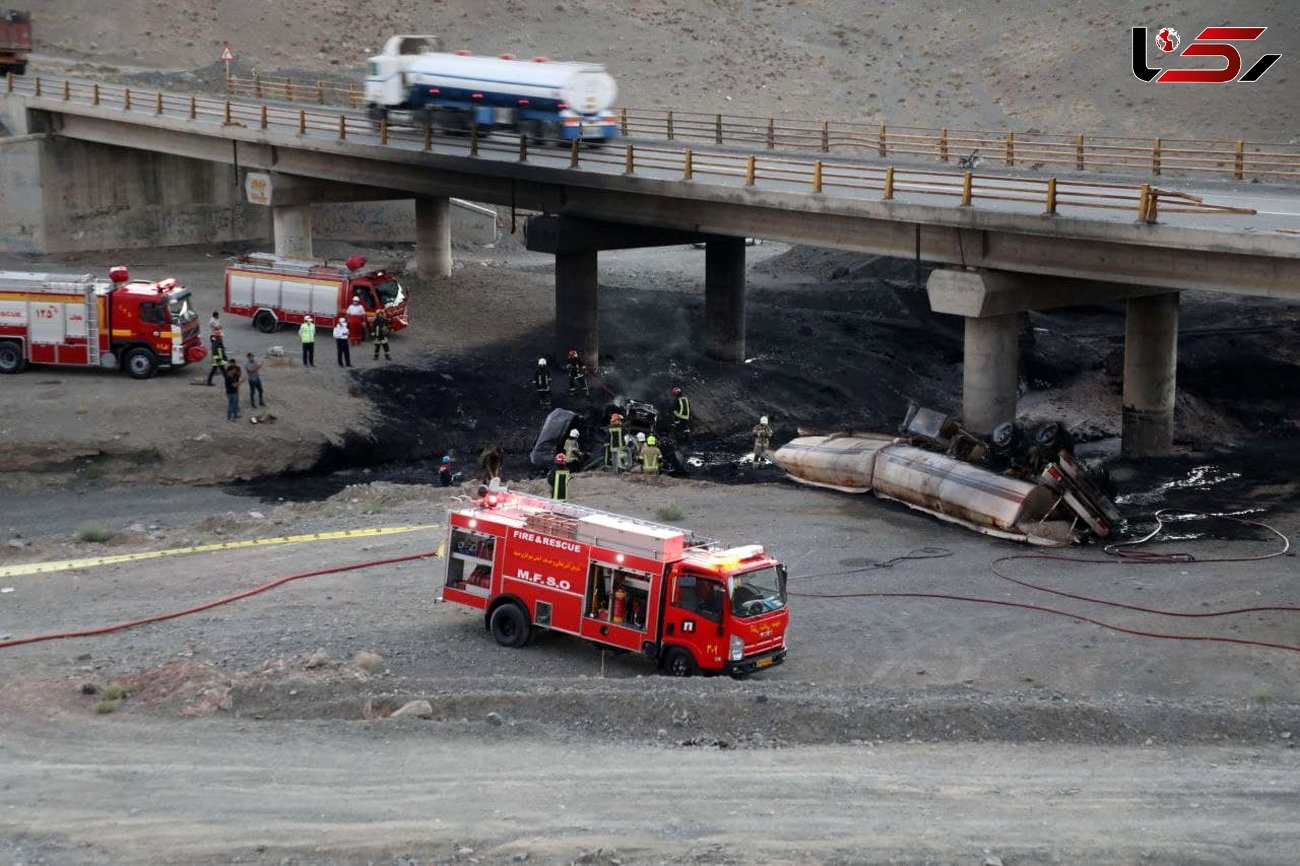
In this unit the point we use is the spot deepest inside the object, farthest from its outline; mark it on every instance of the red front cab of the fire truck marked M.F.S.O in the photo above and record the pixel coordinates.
(726, 613)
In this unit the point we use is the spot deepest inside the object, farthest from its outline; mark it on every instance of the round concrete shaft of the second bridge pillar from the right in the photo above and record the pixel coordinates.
(991, 374)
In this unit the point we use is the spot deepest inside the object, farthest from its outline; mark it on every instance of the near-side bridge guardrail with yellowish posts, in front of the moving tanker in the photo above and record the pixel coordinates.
(774, 172)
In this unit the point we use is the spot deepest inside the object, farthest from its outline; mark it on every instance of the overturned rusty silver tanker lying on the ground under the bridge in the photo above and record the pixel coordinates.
(1056, 509)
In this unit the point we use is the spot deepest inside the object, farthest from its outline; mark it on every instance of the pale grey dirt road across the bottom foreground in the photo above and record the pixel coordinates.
(219, 793)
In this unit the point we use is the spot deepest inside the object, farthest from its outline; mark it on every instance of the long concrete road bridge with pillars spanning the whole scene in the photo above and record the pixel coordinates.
(1008, 244)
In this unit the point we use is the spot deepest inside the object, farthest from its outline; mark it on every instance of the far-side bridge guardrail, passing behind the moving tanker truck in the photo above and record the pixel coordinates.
(1078, 151)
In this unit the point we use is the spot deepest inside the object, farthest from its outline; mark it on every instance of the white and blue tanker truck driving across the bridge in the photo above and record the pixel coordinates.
(415, 83)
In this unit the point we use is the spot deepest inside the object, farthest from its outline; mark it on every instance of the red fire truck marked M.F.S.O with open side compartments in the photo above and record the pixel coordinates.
(690, 605)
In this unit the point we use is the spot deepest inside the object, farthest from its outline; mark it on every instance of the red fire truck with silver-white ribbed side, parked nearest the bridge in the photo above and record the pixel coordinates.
(275, 291)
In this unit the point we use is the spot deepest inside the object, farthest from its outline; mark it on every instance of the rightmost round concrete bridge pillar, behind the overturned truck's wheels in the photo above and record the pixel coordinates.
(1151, 361)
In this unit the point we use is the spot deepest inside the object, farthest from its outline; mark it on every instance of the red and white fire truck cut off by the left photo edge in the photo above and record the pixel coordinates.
(86, 322)
